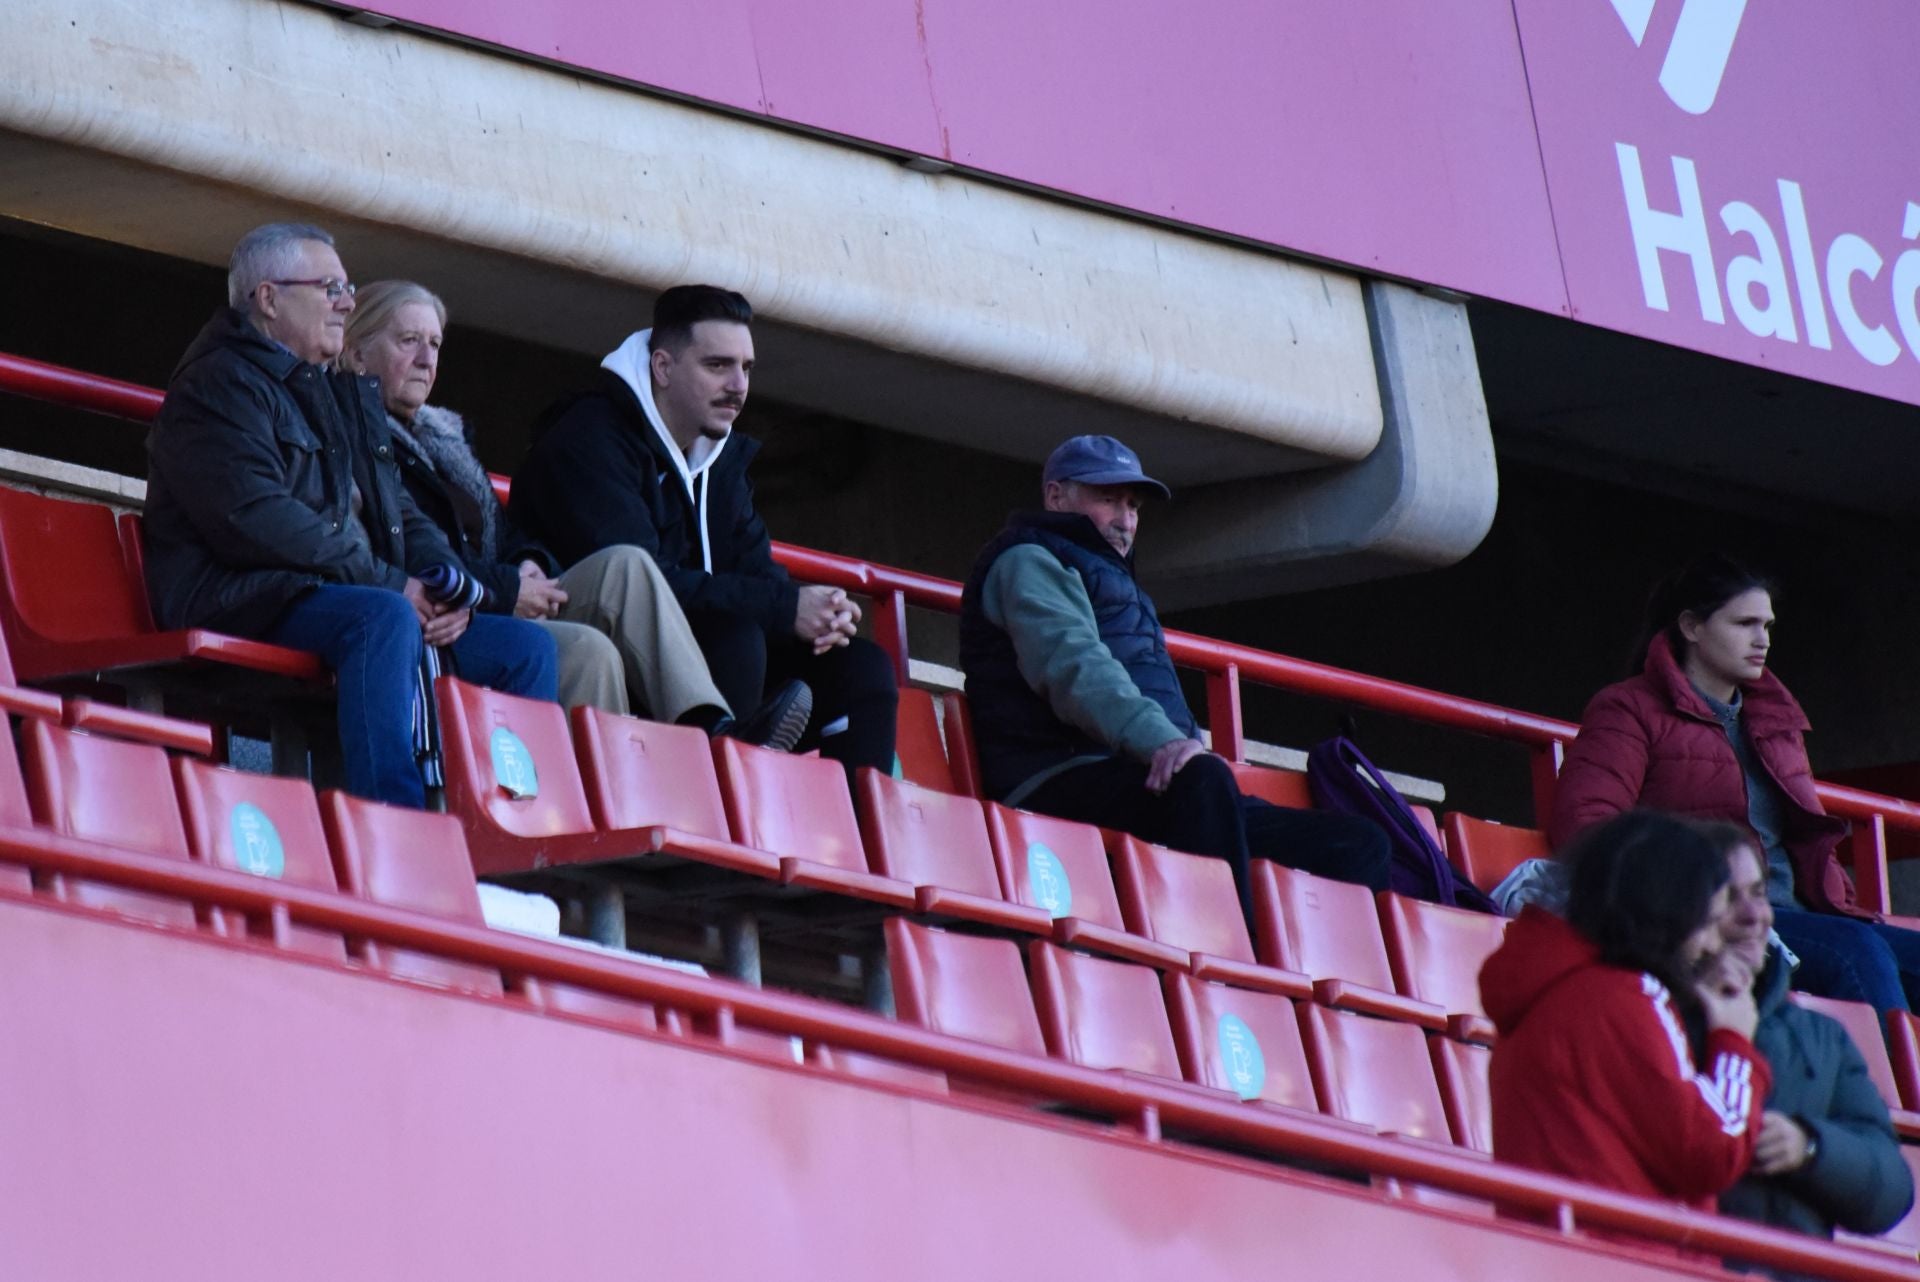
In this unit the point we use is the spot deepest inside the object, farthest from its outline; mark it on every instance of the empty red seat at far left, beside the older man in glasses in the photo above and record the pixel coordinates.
(72, 600)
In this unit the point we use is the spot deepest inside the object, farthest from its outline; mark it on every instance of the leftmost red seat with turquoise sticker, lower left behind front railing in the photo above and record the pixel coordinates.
(264, 826)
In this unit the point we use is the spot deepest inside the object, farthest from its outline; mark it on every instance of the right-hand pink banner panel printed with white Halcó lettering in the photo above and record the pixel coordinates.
(1739, 178)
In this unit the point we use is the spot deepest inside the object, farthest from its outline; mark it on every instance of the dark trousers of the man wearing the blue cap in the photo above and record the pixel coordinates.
(1205, 813)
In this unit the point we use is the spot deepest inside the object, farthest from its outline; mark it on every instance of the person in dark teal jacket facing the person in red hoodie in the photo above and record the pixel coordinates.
(1827, 1154)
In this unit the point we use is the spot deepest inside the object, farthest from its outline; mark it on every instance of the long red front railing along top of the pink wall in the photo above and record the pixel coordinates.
(1141, 1104)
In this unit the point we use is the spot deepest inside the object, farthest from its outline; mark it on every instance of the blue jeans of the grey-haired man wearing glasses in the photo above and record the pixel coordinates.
(372, 640)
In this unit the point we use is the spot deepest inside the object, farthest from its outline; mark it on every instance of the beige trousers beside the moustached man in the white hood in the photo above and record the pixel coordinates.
(625, 642)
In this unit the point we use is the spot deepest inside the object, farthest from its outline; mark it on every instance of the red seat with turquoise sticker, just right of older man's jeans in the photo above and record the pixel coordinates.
(516, 786)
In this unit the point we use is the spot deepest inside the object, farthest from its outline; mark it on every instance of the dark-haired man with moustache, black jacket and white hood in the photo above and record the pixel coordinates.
(650, 458)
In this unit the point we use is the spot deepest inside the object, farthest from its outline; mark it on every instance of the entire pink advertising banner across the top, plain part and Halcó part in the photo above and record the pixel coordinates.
(1725, 176)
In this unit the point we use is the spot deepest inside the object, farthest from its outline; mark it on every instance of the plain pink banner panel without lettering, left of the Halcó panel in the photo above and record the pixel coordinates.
(1391, 135)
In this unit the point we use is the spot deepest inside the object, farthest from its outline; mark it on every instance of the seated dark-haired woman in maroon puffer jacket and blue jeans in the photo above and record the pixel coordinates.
(1708, 732)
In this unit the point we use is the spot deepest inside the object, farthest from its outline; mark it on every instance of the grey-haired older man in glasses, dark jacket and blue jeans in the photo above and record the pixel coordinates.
(276, 511)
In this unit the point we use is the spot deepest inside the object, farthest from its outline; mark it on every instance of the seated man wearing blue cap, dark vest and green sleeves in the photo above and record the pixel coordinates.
(1078, 709)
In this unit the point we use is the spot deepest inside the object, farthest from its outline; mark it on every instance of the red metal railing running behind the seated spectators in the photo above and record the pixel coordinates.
(1224, 665)
